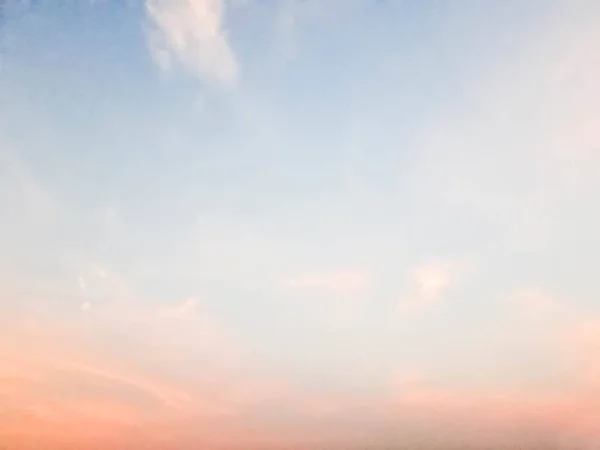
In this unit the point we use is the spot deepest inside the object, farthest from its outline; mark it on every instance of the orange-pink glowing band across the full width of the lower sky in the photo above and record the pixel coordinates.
(57, 394)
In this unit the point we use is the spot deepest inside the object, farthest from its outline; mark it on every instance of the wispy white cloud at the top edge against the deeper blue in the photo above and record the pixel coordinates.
(191, 33)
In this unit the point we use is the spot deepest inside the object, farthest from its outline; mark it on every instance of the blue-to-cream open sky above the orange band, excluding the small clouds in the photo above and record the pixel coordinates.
(372, 136)
